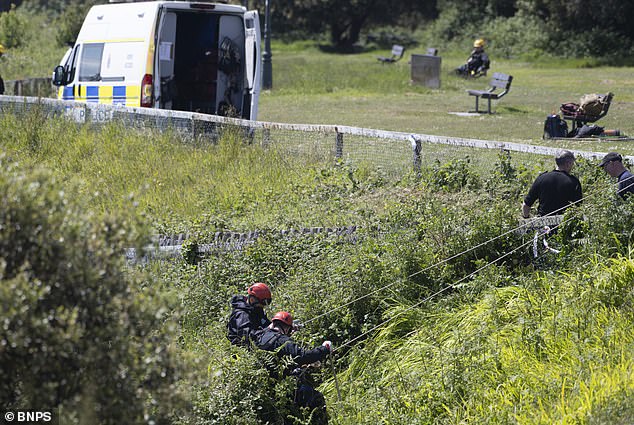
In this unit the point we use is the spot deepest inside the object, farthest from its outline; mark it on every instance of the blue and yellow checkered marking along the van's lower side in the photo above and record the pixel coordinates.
(114, 95)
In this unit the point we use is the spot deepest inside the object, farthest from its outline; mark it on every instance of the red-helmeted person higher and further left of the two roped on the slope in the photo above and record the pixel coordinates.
(247, 315)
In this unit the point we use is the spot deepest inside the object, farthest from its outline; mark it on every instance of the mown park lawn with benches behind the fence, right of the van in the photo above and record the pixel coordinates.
(310, 86)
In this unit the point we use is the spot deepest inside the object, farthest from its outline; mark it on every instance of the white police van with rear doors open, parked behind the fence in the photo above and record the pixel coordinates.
(179, 55)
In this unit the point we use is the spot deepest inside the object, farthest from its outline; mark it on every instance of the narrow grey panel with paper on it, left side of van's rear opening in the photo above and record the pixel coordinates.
(164, 65)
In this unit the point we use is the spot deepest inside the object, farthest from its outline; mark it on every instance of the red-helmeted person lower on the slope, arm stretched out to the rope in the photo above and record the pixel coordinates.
(276, 338)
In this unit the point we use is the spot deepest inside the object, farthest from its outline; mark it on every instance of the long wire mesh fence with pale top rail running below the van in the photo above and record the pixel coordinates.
(392, 154)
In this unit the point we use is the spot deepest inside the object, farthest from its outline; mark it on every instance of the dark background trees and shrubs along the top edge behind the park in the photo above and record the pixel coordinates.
(556, 27)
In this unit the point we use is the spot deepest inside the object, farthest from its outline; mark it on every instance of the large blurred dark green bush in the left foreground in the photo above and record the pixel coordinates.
(80, 332)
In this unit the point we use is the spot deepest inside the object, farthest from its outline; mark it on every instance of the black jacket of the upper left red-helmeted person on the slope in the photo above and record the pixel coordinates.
(245, 319)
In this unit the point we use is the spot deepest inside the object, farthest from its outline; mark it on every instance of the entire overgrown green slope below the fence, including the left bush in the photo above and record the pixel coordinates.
(425, 335)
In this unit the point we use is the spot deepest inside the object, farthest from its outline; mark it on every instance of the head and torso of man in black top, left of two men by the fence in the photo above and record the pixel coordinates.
(556, 190)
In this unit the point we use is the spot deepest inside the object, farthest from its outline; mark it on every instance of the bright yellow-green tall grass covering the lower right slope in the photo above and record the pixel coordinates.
(556, 349)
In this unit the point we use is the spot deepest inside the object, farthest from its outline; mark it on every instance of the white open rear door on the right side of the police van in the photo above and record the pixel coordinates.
(253, 60)
